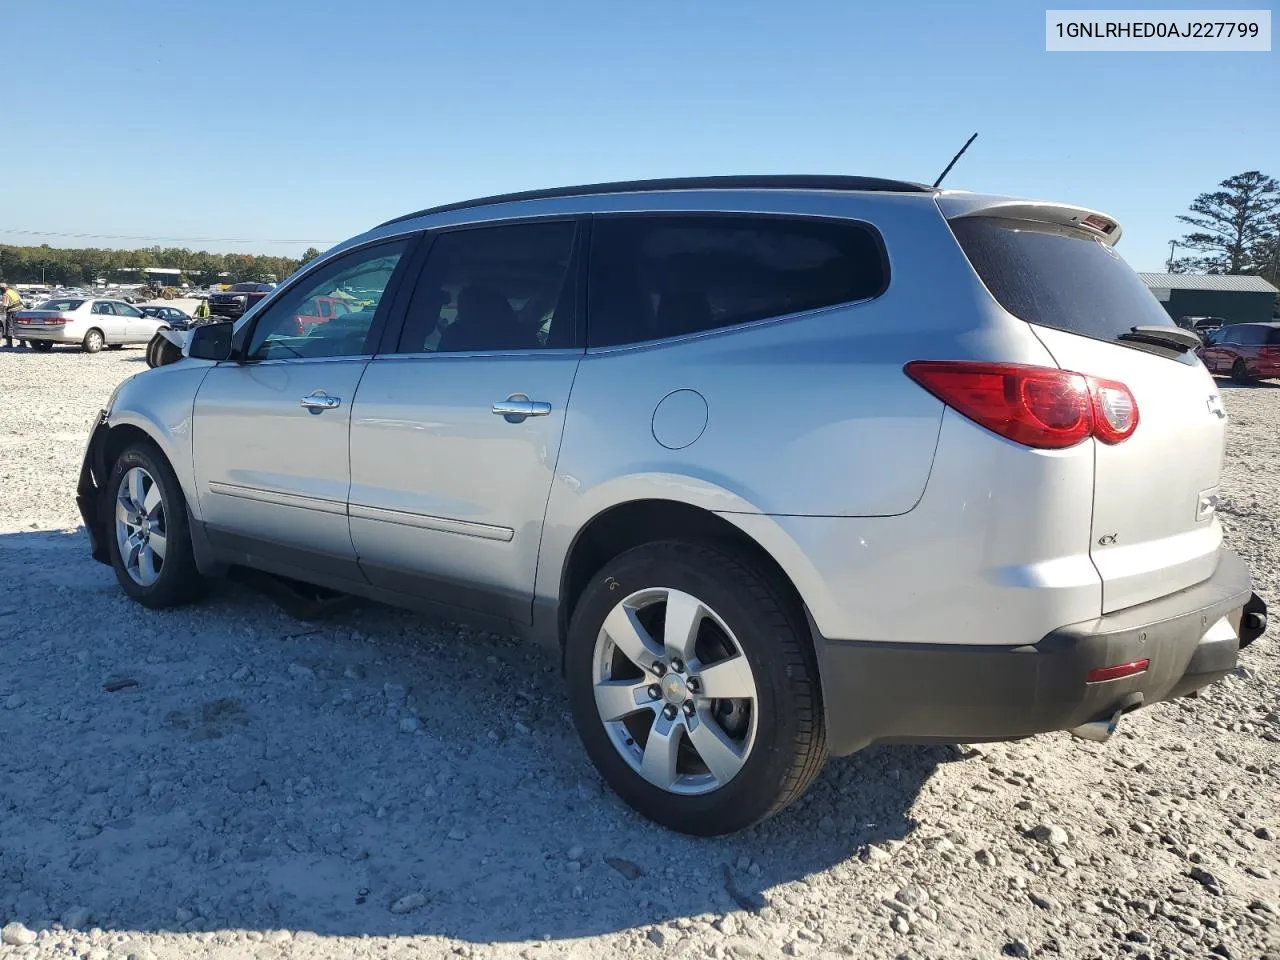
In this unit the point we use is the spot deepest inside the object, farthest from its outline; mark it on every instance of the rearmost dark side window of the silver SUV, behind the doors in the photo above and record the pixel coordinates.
(655, 277)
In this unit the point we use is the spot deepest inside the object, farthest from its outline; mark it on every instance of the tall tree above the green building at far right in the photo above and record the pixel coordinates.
(1237, 230)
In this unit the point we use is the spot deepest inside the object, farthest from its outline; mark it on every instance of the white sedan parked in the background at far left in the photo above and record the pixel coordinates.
(92, 323)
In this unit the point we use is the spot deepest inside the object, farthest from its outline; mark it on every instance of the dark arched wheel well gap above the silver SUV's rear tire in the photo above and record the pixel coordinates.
(646, 522)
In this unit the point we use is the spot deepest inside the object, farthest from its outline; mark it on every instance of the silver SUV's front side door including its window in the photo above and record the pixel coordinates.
(272, 432)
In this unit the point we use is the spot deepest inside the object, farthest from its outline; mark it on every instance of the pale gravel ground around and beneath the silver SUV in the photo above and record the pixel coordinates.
(225, 781)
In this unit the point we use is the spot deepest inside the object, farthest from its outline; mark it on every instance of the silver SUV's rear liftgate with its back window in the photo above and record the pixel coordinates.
(1155, 529)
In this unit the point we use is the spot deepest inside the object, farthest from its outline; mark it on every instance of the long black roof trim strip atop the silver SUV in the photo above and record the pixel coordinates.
(748, 182)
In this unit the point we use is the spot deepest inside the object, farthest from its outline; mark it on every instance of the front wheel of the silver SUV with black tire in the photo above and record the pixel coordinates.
(150, 538)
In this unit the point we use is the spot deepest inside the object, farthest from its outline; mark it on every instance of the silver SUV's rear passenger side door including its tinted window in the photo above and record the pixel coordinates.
(455, 436)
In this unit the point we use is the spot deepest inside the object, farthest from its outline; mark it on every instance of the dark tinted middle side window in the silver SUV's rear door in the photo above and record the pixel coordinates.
(495, 289)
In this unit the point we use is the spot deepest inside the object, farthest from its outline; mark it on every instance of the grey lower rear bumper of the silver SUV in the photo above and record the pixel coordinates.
(895, 692)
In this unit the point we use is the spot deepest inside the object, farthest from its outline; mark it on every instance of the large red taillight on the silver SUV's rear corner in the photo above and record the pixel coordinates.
(1035, 406)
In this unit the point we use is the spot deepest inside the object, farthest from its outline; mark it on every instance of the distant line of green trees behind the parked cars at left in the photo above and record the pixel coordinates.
(71, 267)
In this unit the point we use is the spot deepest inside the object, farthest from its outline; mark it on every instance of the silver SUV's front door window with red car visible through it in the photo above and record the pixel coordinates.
(305, 322)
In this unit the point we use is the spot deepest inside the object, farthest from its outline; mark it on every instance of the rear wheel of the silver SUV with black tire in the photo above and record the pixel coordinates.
(694, 687)
